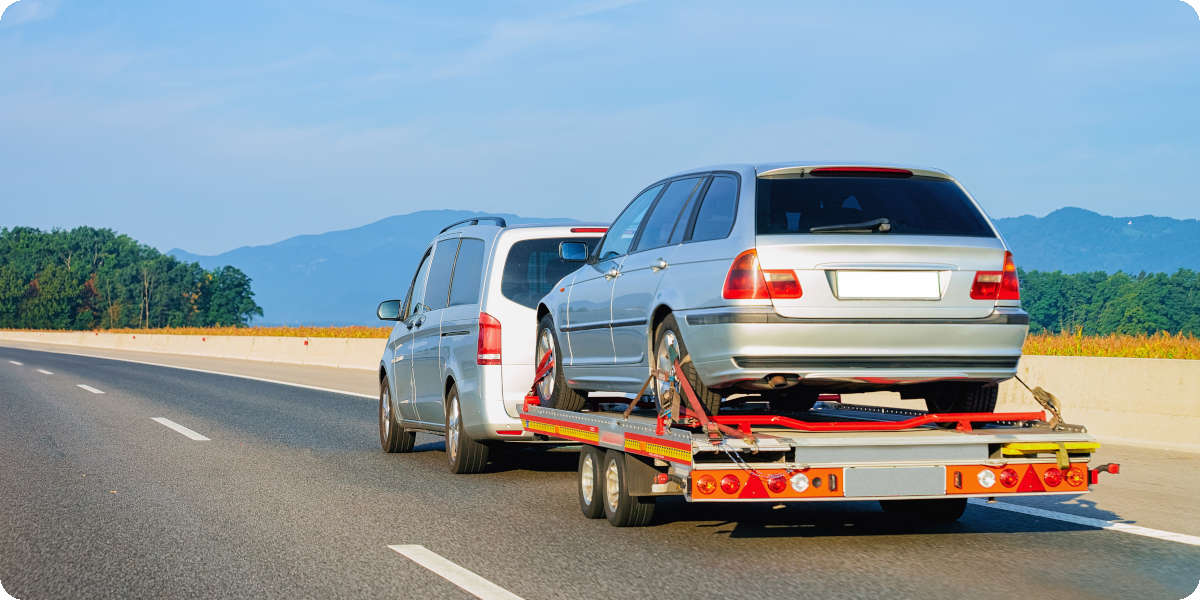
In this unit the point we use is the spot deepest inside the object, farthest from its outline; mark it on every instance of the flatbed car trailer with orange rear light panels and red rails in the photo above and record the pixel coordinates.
(926, 465)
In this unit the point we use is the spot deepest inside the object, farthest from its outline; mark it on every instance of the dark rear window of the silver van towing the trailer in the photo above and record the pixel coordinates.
(533, 267)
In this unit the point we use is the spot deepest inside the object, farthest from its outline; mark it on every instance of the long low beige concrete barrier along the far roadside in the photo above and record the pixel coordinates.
(1147, 403)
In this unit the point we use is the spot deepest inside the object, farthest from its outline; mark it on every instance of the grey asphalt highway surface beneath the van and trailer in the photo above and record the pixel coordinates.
(291, 497)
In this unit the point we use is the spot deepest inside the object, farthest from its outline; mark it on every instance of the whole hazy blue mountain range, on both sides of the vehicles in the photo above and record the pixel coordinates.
(338, 278)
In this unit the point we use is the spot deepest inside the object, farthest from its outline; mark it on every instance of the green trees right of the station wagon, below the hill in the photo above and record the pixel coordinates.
(1102, 304)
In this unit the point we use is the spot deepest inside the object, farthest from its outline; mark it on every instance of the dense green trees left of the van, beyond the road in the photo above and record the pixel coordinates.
(97, 279)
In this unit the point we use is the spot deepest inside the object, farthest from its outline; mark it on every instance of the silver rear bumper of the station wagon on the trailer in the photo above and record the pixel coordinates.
(746, 345)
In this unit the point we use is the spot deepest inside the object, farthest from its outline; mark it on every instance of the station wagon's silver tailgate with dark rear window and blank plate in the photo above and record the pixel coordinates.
(872, 243)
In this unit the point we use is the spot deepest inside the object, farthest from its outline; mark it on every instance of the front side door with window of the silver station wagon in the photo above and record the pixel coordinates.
(590, 305)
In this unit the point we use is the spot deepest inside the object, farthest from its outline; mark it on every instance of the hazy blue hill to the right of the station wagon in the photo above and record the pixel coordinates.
(1075, 241)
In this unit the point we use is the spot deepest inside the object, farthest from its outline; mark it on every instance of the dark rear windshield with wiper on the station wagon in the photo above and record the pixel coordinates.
(913, 206)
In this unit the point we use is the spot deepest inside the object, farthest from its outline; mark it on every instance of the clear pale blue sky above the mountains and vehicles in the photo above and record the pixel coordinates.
(218, 124)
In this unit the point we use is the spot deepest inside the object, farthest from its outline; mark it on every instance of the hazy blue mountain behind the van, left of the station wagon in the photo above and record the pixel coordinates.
(339, 278)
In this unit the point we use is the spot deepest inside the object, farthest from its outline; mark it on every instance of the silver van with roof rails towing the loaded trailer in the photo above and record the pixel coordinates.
(460, 359)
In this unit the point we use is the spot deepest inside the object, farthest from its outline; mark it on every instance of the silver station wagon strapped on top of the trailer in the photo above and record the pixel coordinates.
(790, 281)
